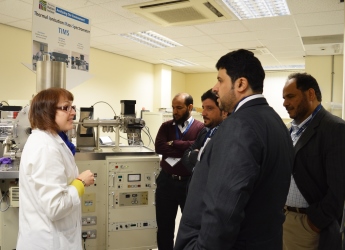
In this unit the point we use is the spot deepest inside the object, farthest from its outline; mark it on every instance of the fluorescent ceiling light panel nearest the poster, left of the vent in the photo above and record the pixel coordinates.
(151, 39)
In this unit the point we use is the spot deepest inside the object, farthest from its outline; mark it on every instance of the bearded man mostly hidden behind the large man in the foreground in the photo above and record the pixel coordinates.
(213, 116)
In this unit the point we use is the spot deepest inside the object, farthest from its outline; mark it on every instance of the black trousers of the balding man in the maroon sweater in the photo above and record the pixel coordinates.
(170, 194)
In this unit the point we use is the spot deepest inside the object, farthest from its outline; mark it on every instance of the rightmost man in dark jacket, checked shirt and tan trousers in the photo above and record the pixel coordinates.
(316, 196)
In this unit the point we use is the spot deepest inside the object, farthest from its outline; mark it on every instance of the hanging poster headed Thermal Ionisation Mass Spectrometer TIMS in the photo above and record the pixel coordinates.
(60, 35)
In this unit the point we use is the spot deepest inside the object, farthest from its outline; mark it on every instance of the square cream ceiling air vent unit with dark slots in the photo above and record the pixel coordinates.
(180, 12)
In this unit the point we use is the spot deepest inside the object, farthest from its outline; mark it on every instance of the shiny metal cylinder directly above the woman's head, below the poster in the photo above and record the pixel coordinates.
(50, 74)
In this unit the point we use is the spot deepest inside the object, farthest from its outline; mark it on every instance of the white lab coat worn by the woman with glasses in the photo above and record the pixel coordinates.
(49, 207)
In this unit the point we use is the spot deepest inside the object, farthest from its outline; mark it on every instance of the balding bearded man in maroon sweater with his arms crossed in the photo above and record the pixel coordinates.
(173, 138)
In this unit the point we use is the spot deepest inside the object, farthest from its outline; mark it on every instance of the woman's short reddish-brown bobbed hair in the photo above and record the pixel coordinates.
(43, 108)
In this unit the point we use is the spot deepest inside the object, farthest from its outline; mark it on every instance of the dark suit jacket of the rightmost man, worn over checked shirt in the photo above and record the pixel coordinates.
(319, 172)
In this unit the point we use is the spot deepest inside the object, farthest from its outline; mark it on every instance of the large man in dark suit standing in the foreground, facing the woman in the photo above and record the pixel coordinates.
(239, 186)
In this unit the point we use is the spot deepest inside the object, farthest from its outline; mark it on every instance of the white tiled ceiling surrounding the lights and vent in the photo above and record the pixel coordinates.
(203, 44)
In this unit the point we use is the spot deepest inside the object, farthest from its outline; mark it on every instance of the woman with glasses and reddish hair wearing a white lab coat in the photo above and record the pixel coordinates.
(49, 182)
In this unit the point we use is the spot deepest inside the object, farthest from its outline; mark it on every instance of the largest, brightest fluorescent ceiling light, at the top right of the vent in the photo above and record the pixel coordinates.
(249, 9)
